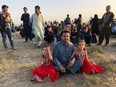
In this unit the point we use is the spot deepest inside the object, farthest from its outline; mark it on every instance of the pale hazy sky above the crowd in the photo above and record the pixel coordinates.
(57, 9)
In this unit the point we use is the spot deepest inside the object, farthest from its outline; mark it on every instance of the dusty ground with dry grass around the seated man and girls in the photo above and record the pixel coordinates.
(16, 67)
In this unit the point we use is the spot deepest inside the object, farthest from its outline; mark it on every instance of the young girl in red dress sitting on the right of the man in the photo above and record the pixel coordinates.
(81, 54)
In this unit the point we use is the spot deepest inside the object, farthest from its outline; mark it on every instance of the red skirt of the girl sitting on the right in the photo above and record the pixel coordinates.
(89, 67)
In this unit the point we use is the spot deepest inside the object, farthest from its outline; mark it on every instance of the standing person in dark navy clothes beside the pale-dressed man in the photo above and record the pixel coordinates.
(26, 24)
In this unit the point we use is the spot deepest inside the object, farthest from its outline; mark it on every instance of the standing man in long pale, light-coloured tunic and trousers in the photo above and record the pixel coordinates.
(37, 27)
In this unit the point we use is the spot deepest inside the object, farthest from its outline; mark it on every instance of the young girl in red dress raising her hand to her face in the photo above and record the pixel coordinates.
(46, 71)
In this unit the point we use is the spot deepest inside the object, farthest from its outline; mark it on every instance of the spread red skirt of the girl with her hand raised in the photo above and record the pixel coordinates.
(45, 72)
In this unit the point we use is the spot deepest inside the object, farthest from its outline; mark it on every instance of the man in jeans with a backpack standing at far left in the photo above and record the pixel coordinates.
(6, 27)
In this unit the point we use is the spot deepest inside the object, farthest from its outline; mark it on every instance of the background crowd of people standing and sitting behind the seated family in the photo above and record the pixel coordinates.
(49, 32)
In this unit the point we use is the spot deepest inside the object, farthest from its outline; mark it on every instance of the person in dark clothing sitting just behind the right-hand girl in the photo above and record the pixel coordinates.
(86, 35)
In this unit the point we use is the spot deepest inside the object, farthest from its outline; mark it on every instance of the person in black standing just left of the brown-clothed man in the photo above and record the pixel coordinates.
(95, 24)
